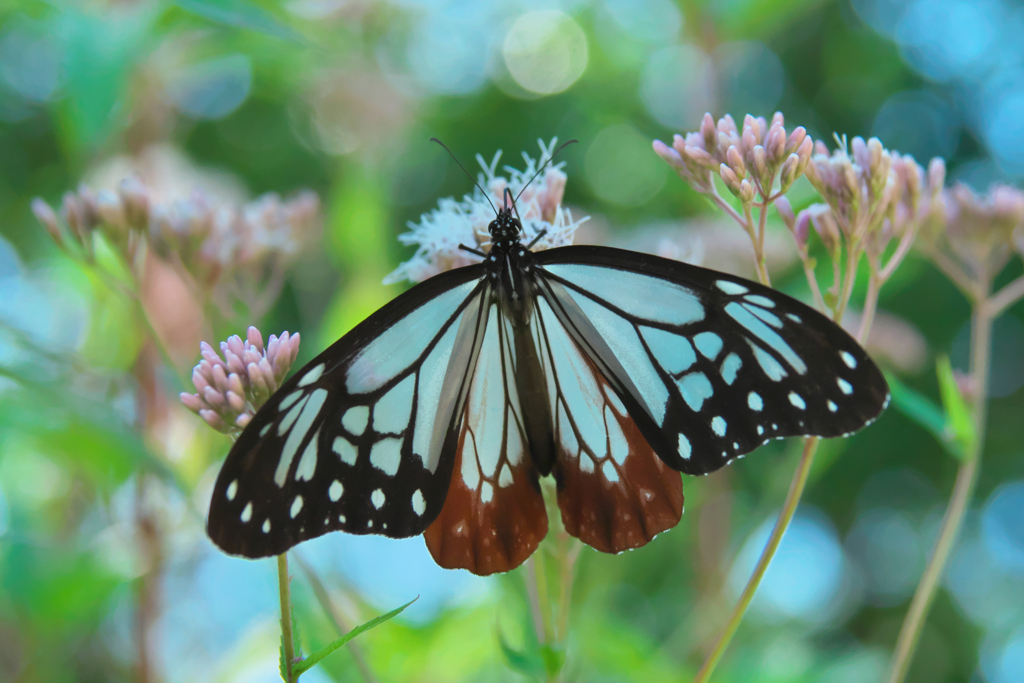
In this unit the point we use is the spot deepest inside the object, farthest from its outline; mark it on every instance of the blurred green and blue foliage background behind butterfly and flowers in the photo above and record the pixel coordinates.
(217, 104)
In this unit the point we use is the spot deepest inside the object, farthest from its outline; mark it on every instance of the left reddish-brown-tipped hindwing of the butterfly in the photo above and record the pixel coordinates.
(494, 518)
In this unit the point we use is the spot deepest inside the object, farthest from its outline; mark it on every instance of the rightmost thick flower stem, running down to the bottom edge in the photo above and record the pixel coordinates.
(910, 633)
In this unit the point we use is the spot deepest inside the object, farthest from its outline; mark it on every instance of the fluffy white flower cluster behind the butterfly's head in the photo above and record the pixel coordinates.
(440, 233)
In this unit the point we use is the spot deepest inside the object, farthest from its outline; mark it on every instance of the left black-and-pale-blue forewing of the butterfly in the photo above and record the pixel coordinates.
(361, 439)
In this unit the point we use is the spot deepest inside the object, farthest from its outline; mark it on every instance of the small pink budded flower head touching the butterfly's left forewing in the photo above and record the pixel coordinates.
(236, 383)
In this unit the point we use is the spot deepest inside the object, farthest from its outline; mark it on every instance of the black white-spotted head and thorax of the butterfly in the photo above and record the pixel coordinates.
(508, 267)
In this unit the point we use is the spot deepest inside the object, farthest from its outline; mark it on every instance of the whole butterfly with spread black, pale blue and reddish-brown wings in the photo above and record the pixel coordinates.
(610, 370)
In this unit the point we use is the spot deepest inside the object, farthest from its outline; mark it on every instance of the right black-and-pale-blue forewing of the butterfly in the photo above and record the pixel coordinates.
(708, 365)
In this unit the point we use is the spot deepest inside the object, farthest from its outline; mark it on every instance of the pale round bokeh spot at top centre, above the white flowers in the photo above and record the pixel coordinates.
(545, 52)
